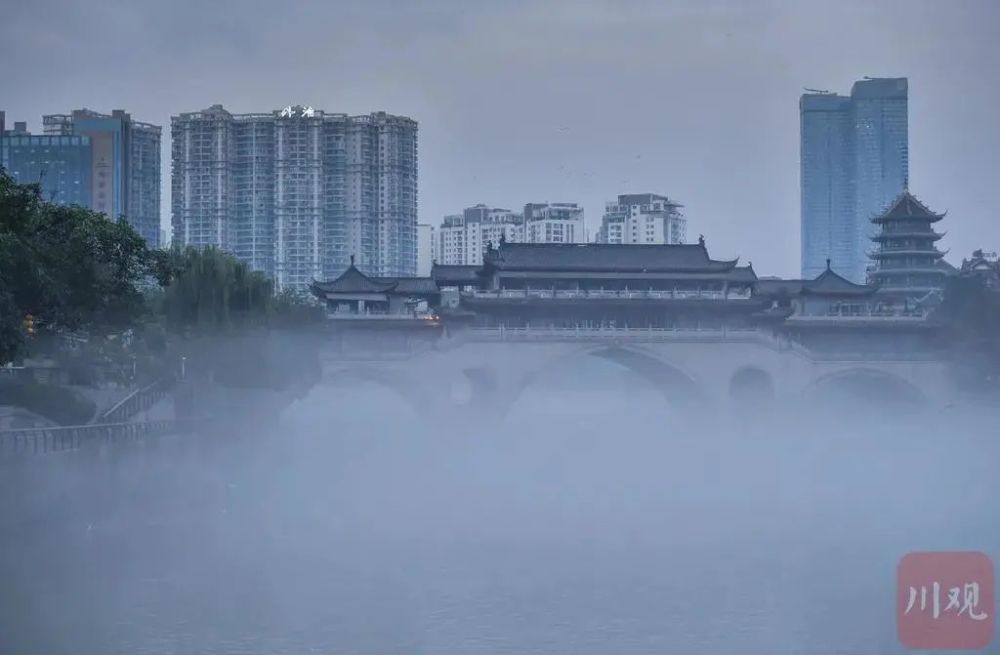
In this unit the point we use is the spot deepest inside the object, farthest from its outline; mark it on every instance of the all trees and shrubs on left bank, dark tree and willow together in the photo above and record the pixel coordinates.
(88, 293)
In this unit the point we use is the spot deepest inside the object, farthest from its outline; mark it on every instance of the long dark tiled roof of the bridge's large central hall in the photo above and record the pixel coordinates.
(605, 257)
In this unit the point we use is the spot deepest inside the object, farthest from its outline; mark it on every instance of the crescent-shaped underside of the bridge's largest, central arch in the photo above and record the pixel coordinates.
(678, 387)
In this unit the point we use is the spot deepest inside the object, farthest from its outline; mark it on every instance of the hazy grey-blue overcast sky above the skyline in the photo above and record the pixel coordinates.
(559, 101)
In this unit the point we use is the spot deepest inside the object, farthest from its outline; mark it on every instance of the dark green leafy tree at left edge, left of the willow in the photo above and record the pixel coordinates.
(68, 267)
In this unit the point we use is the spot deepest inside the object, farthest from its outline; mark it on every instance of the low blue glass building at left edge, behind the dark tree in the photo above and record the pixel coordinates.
(61, 164)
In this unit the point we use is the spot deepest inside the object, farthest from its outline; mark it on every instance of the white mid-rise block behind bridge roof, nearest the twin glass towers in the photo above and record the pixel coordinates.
(642, 218)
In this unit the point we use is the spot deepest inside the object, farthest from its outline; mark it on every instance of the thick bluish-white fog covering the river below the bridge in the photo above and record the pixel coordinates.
(594, 518)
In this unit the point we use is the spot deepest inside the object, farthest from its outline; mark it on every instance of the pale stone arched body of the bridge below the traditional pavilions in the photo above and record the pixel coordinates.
(480, 373)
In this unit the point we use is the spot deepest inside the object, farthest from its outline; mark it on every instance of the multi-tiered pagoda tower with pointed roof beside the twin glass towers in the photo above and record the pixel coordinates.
(907, 262)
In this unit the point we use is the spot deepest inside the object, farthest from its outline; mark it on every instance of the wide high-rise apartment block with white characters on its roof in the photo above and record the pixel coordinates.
(297, 192)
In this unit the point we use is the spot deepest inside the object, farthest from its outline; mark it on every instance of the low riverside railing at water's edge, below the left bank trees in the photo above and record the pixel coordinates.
(40, 441)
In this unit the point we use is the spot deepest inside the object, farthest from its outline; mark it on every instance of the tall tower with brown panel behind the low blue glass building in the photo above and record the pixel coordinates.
(125, 165)
